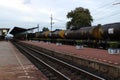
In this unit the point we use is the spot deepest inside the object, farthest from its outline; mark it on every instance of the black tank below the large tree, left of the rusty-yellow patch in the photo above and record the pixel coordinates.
(84, 33)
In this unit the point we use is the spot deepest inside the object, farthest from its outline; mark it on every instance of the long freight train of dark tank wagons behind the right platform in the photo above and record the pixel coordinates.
(99, 36)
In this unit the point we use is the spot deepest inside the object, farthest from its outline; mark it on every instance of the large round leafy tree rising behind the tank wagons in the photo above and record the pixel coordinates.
(80, 17)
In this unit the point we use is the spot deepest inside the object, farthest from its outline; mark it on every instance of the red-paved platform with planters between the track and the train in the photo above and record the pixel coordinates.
(87, 53)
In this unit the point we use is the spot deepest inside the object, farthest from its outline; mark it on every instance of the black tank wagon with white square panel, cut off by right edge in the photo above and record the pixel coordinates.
(111, 32)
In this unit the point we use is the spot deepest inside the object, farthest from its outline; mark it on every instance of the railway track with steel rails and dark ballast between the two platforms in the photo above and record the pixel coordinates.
(54, 68)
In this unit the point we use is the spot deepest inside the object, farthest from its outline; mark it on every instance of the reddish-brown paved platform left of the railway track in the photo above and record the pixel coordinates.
(15, 66)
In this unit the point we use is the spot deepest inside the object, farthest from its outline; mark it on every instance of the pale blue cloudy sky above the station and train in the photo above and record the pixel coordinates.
(29, 13)
